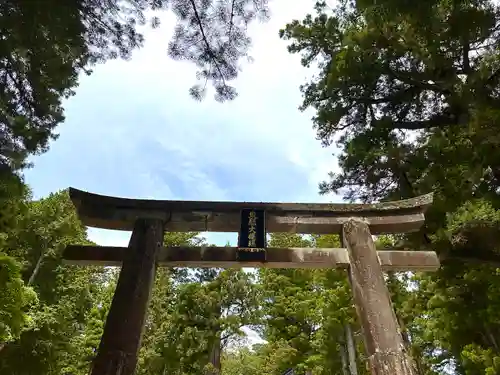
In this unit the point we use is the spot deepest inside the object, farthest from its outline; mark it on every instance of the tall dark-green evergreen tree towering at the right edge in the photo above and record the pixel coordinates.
(410, 91)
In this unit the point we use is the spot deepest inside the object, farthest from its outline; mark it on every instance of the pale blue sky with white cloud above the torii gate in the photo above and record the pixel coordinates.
(132, 130)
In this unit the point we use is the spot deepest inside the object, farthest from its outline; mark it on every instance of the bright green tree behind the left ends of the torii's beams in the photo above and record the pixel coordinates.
(65, 294)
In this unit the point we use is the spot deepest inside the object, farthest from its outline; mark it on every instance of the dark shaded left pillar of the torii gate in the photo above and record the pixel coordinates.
(120, 342)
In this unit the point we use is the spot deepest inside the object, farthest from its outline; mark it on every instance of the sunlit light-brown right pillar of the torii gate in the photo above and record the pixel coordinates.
(383, 341)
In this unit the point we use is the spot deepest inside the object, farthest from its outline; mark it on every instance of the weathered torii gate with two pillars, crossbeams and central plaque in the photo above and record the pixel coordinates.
(149, 219)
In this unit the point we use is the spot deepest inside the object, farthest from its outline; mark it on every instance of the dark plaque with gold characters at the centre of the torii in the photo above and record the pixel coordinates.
(252, 236)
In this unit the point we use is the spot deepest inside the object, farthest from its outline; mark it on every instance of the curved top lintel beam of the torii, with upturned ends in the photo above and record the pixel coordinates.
(116, 213)
